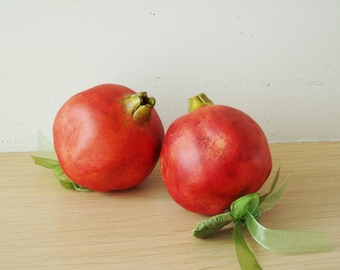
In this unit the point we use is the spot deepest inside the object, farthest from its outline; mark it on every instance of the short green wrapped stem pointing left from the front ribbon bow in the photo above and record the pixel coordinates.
(211, 225)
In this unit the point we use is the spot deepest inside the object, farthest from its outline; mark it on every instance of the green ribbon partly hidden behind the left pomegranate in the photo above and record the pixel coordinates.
(47, 158)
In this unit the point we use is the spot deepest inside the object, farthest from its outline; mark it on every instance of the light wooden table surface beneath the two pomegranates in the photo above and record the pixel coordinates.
(44, 226)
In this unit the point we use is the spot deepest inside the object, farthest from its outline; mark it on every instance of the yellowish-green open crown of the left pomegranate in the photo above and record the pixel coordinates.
(140, 106)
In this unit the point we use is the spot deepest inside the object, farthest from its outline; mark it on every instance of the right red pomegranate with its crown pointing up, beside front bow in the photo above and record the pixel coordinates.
(212, 156)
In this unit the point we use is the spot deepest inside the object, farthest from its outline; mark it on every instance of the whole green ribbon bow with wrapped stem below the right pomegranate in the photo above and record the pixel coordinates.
(244, 212)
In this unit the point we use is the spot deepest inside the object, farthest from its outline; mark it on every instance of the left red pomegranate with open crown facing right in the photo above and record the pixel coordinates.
(108, 137)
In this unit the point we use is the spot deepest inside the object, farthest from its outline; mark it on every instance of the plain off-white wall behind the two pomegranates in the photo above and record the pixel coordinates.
(279, 61)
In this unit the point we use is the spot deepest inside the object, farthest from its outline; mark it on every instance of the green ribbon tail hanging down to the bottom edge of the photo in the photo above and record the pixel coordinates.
(245, 256)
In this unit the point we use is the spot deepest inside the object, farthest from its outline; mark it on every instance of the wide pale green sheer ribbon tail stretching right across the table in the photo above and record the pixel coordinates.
(286, 241)
